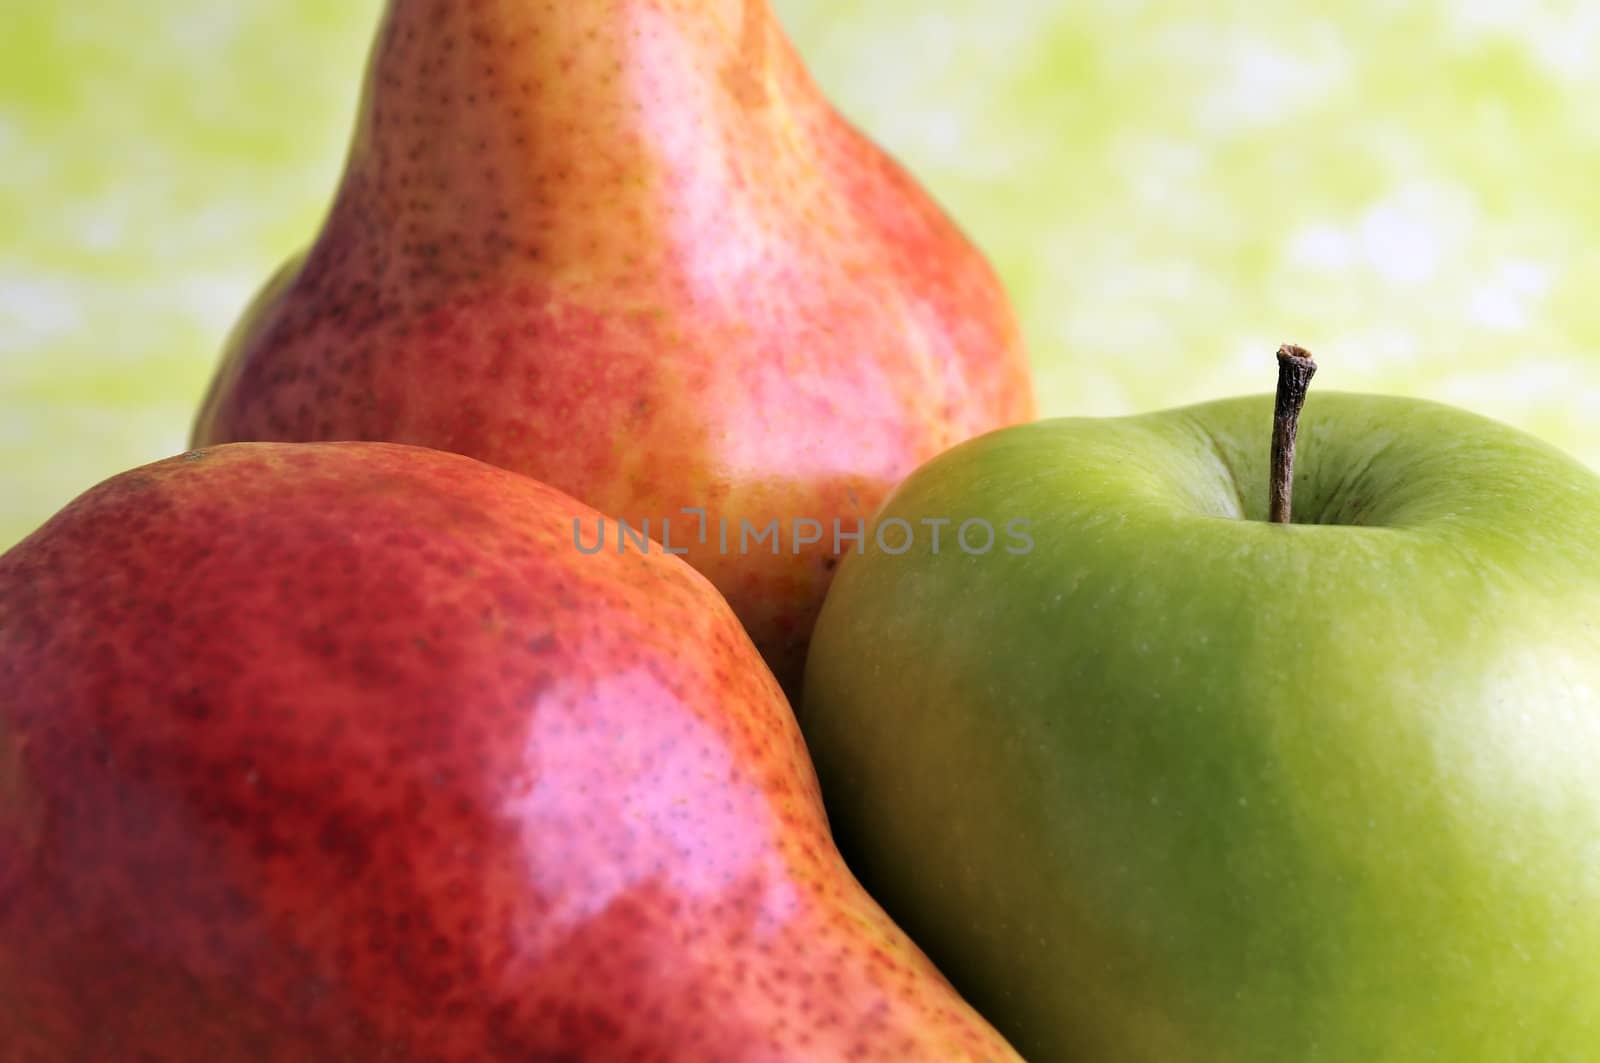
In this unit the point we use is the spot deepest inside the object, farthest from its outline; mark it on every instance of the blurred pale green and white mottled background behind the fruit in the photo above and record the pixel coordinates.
(1170, 190)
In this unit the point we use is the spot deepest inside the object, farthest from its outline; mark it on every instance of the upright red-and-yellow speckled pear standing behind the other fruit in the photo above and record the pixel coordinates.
(628, 249)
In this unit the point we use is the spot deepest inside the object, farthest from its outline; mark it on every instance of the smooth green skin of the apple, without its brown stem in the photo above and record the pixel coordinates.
(1180, 787)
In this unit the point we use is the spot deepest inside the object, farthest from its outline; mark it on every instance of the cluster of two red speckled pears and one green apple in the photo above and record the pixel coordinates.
(638, 436)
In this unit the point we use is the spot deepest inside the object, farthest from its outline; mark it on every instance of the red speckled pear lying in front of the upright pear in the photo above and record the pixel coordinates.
(343, 752)
